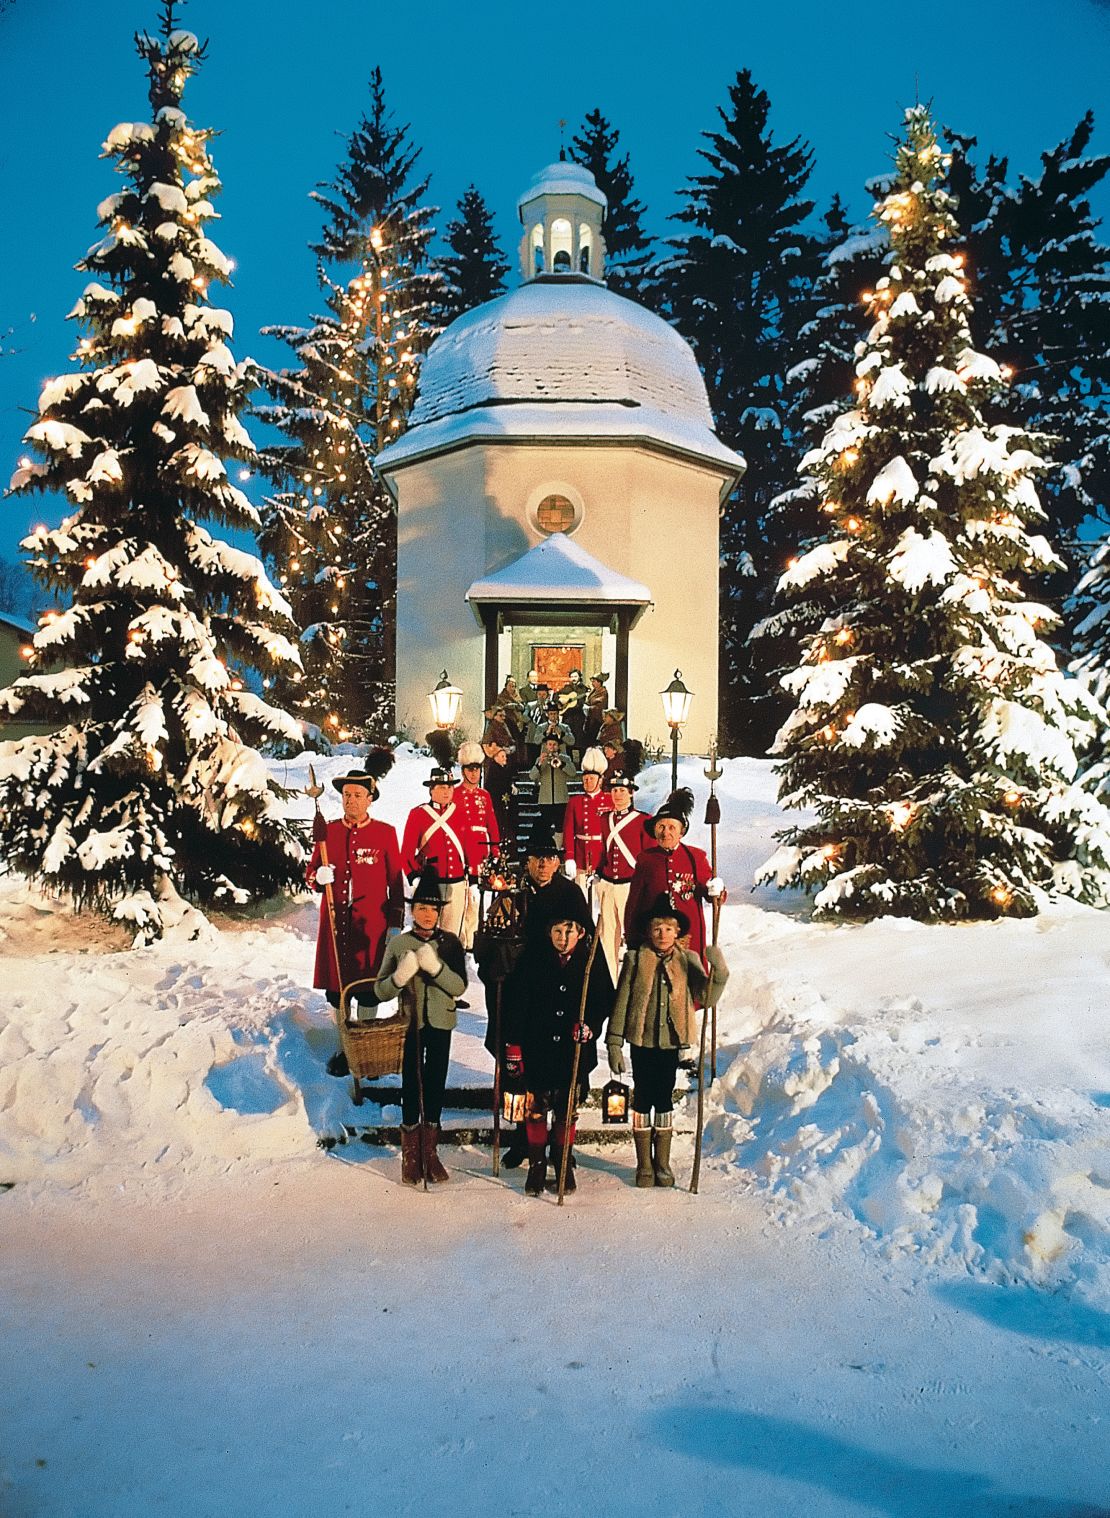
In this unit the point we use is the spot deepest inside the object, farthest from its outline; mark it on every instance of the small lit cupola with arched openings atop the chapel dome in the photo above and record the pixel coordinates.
(561, 213)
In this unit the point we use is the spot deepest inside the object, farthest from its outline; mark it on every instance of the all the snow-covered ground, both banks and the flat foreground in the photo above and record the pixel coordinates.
(892, 1294)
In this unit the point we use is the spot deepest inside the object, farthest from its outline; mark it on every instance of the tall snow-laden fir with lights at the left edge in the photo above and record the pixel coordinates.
(145, 786)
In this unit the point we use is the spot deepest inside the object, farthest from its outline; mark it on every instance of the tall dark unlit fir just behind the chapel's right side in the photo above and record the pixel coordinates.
(731, 285)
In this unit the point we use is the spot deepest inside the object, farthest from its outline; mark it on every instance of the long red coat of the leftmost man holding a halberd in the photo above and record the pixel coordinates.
(370, 898)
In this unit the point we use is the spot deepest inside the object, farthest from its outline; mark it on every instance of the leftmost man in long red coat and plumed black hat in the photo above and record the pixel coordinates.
(364, 872)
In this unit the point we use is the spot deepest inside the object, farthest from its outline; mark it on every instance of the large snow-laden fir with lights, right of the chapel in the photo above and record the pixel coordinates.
(933, 735)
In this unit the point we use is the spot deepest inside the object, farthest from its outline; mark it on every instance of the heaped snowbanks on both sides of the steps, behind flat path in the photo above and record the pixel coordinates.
(944, 1092)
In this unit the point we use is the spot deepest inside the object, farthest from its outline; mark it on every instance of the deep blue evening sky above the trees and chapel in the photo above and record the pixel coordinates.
(484, 87)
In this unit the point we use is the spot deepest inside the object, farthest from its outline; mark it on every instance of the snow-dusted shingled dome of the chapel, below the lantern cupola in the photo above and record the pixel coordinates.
(564, 342)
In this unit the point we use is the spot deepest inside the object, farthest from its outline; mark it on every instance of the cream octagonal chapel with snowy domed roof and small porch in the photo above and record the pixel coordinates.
(560, 488)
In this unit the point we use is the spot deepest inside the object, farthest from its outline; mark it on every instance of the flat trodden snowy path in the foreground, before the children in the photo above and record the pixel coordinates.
(327, 1343)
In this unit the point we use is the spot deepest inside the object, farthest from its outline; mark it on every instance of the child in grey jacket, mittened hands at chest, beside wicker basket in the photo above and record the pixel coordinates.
(426, 971)
